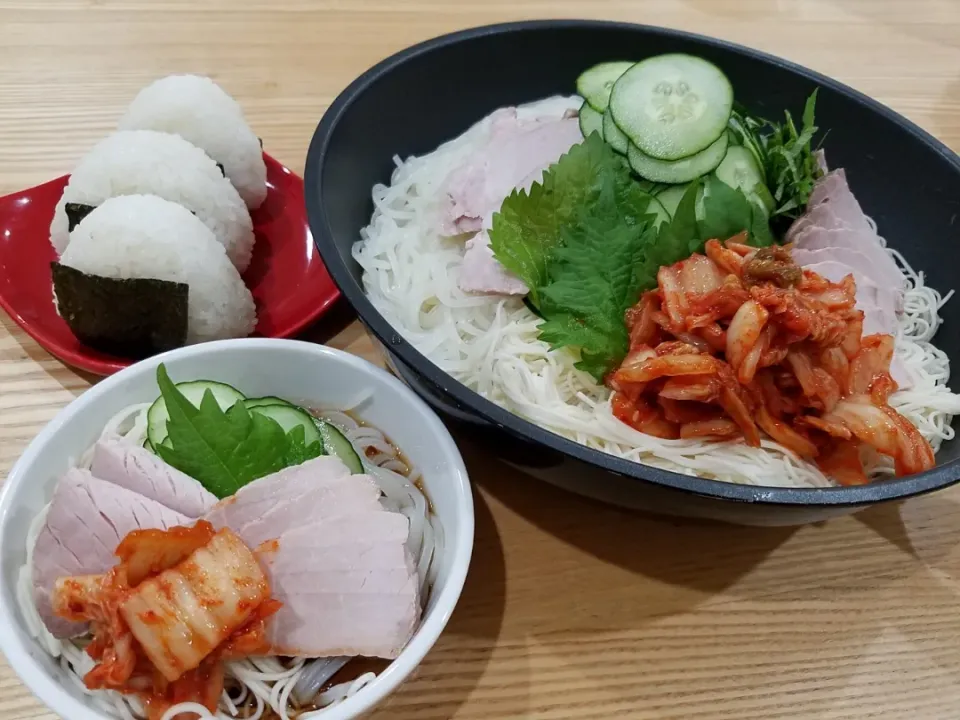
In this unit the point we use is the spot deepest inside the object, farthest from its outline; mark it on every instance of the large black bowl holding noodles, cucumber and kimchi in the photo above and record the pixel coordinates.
(418, 98)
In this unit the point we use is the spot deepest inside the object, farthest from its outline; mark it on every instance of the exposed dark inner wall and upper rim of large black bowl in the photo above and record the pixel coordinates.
(906, 180)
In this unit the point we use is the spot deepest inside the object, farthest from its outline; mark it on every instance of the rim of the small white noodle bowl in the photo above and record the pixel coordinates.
(20, 651)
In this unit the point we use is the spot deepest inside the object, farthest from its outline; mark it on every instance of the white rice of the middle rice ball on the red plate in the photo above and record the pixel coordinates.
(154, 163)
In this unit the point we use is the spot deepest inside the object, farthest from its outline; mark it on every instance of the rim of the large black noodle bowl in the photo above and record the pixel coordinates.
(520, 428)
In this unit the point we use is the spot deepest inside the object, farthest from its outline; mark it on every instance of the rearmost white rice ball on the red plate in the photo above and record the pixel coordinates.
(201, 112)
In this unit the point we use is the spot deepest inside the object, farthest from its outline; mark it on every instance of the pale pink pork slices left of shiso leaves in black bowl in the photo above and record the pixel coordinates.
(514, 157)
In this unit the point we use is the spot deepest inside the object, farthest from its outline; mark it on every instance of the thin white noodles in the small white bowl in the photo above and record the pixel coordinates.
(262, 682)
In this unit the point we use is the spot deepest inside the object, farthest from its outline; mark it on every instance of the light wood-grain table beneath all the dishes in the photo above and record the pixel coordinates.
(571, 610)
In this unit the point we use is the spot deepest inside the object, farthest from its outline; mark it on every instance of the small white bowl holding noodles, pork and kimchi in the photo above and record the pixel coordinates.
(298, 371)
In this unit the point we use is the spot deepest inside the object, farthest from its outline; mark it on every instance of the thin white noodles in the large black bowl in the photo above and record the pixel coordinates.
(491, 344)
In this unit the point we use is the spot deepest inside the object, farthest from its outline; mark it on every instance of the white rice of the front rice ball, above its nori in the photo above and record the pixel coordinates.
(144, 236)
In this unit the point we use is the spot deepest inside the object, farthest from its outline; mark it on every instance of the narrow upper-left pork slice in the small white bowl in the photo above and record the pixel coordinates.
(135, 468)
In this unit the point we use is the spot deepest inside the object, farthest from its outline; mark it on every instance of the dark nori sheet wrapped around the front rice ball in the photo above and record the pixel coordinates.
(134, 317)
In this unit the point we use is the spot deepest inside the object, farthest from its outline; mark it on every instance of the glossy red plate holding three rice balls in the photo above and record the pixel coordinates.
(289, 282)
